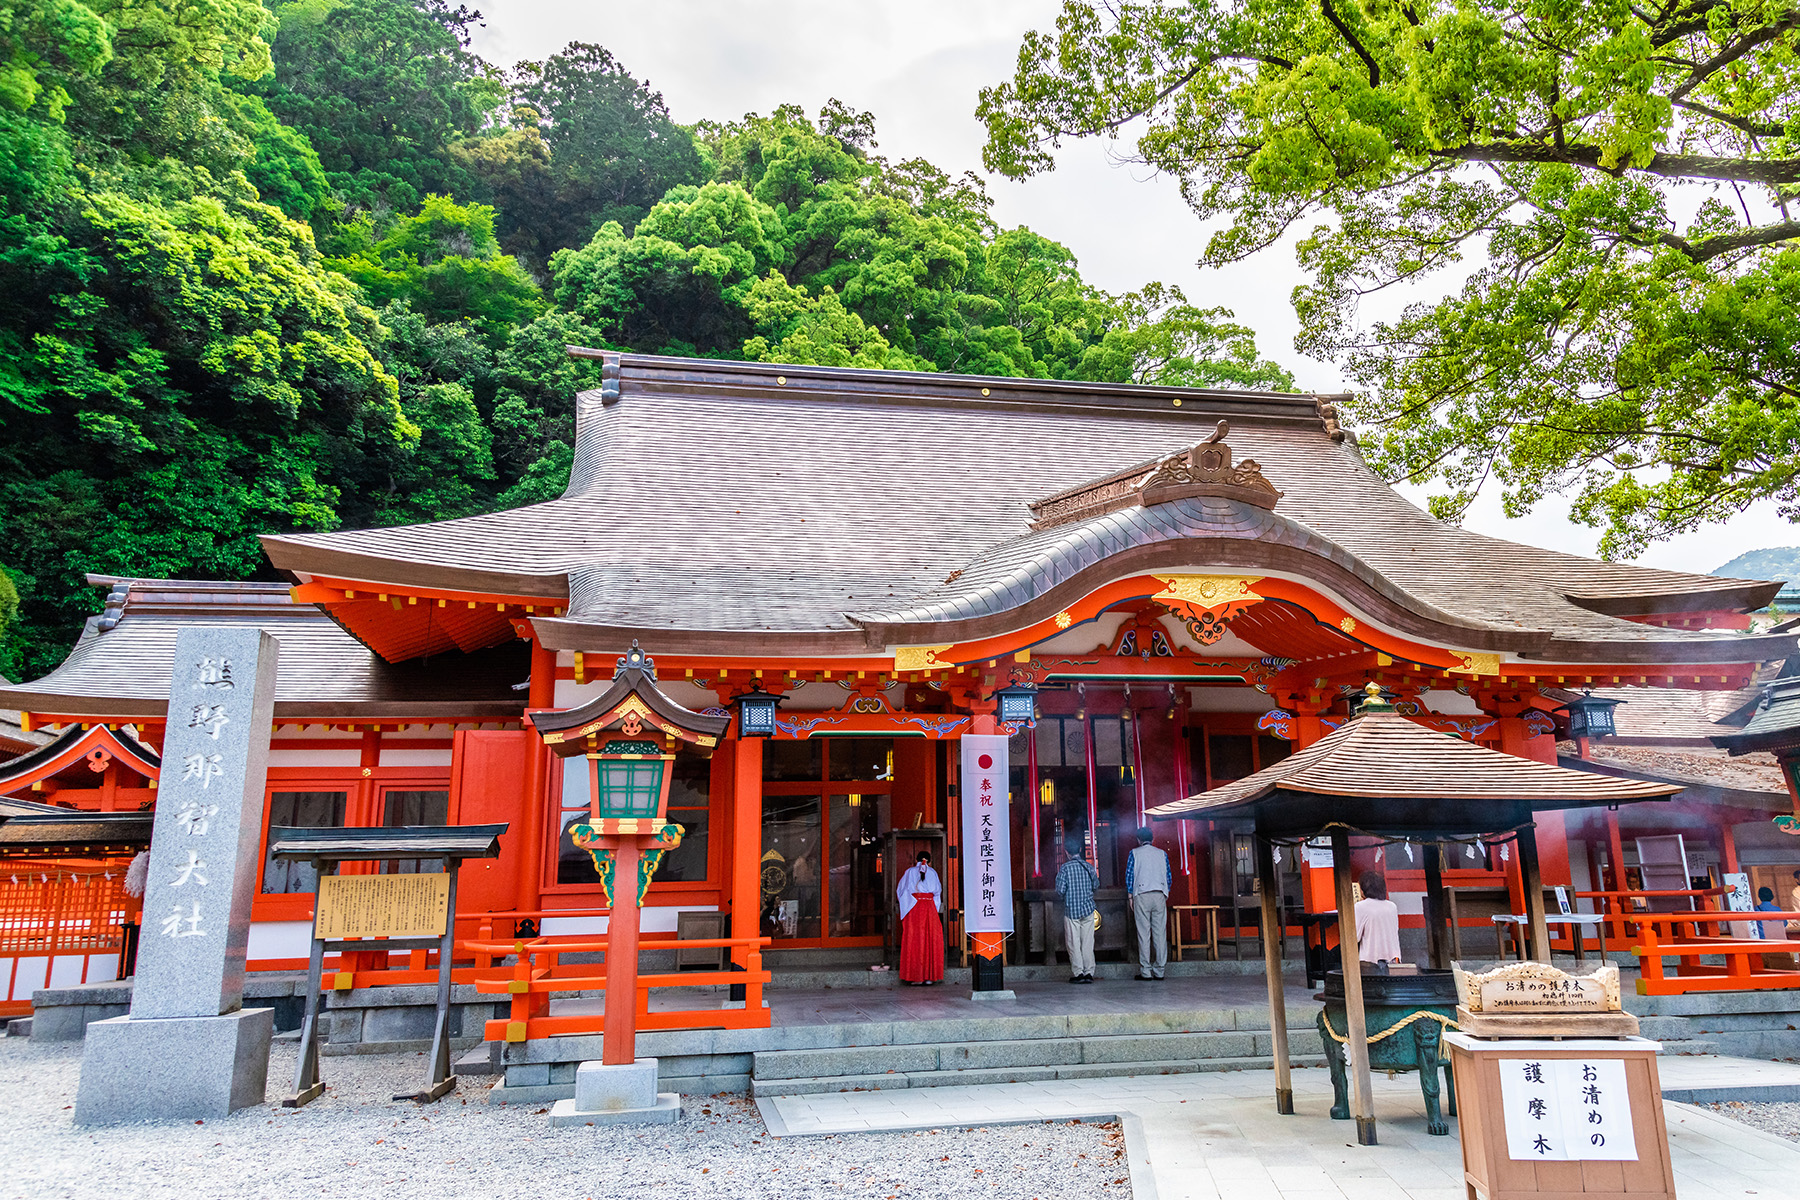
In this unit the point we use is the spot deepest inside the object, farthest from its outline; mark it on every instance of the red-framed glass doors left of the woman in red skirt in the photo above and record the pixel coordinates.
(827, 807)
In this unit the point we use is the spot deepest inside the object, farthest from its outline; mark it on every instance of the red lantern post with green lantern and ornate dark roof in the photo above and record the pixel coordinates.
(629, 737)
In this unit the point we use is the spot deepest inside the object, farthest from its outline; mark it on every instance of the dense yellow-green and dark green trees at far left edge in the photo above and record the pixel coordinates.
(179, 372)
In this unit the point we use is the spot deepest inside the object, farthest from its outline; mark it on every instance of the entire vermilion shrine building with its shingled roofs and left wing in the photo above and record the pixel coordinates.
(1192, 582)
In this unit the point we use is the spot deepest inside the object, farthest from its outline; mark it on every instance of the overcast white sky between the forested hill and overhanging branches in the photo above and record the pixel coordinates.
(919, 67)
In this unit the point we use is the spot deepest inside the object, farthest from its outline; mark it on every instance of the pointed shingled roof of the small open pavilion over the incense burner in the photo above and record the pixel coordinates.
(1381, 771)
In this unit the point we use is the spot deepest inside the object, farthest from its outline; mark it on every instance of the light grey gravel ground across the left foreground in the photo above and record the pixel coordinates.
(354, 1142)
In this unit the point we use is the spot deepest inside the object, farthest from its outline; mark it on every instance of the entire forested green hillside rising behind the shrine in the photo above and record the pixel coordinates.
(316, 265)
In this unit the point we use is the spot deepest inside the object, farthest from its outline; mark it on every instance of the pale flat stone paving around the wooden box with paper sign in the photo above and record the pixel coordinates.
(1216, 1136)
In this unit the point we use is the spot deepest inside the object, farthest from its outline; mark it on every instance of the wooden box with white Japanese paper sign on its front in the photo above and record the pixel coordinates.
(1567, 1120)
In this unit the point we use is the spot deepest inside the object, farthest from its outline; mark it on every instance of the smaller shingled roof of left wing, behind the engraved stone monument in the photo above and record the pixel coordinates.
(120, 670)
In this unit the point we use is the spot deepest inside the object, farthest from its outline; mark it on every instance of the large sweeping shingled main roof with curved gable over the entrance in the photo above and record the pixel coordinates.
(750, 508)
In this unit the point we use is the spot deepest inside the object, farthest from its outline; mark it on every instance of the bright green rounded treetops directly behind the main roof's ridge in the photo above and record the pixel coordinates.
(813, 249)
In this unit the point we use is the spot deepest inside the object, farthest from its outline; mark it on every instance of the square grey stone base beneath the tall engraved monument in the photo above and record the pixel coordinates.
(175, 1068)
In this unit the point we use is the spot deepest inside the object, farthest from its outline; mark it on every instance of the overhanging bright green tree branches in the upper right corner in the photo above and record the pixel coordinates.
(1621, 179)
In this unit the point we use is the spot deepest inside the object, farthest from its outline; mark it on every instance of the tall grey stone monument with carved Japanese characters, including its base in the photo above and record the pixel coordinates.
(190, 1048)
